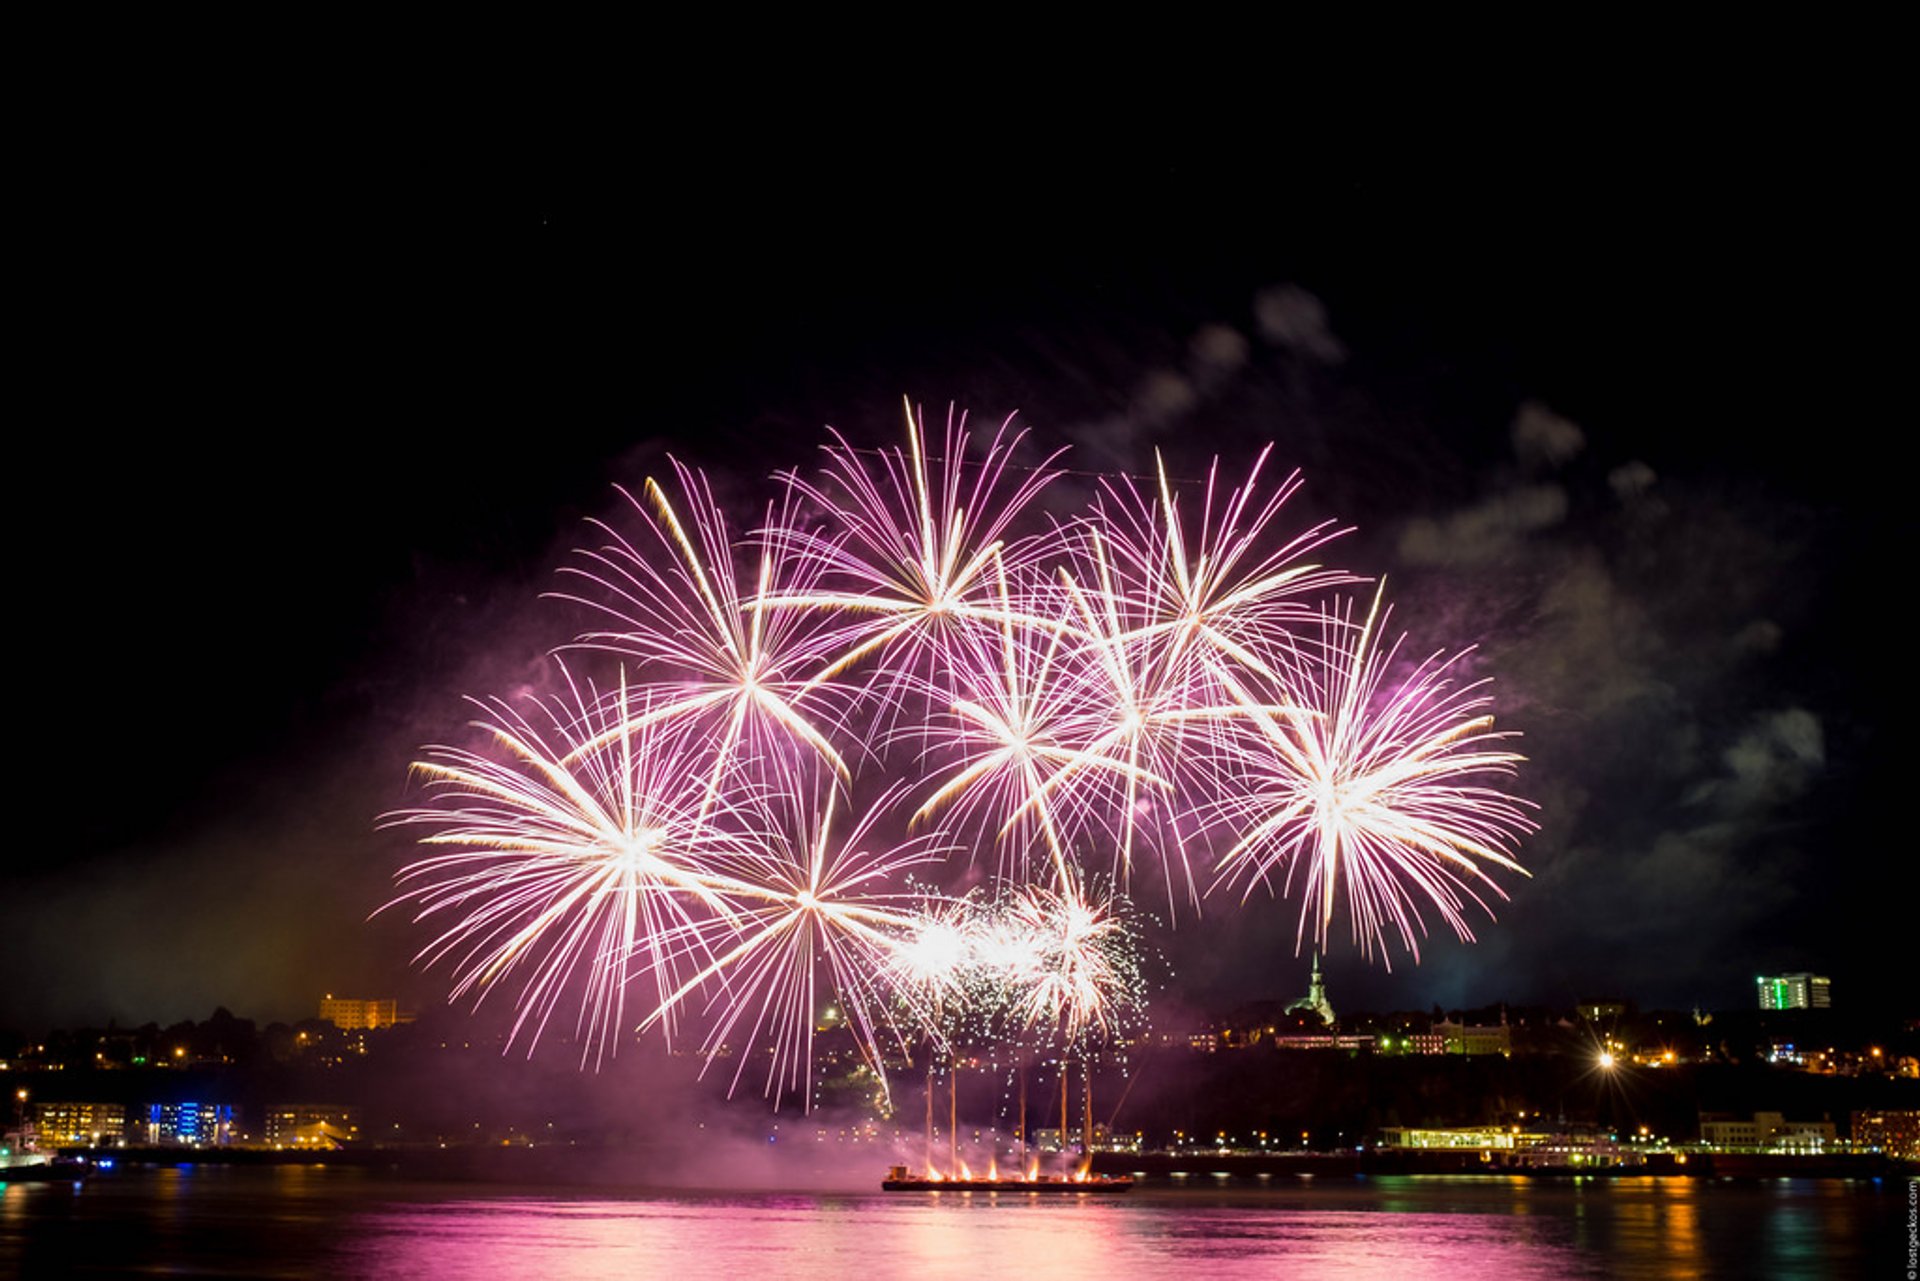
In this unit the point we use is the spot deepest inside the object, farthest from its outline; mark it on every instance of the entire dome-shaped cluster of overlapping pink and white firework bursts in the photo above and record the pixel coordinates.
(905, 646)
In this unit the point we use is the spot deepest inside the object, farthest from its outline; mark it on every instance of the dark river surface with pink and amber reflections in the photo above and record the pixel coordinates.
(348, 1222)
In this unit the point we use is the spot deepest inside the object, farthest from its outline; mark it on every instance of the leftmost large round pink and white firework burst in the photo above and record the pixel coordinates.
(583, 852)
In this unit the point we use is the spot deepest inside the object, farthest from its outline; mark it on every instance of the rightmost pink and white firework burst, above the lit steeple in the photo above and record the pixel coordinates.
(1385, 786)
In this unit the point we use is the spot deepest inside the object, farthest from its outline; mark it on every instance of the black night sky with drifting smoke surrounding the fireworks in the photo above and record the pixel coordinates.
(322, 400)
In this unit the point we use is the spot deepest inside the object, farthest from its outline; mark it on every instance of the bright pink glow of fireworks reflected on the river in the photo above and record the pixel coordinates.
(946, 1236)
